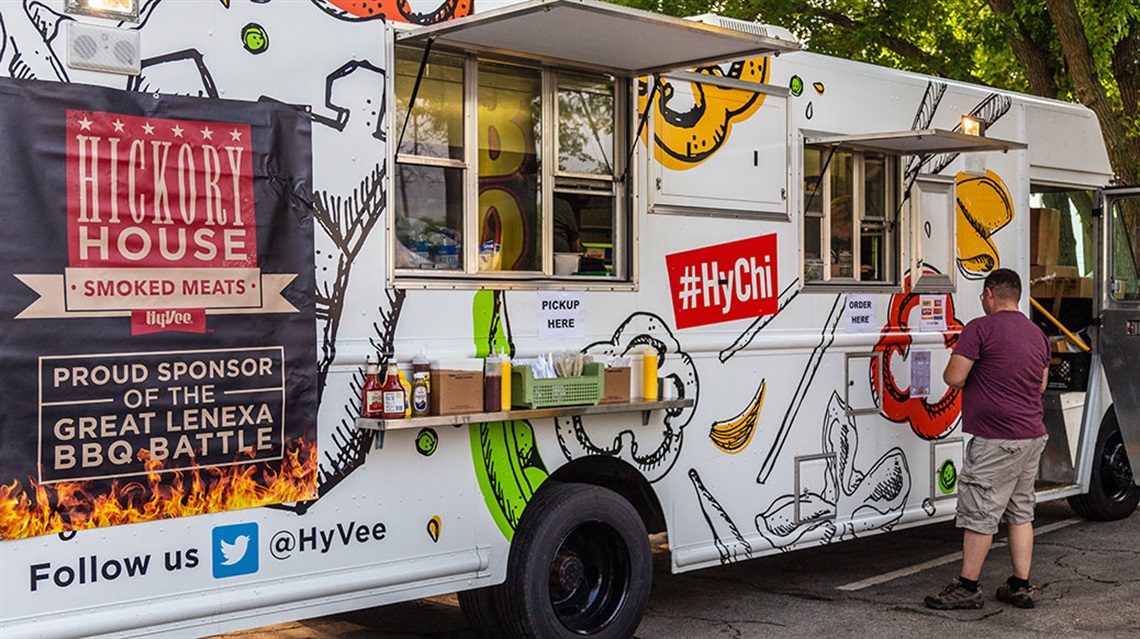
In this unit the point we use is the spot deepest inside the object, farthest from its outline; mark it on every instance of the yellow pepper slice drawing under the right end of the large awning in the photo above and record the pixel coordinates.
(685, 140)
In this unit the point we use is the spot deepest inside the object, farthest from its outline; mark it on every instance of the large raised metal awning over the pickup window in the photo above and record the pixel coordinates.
(618, 39)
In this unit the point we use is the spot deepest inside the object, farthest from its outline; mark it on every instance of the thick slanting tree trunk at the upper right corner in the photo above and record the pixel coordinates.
(1089, 91)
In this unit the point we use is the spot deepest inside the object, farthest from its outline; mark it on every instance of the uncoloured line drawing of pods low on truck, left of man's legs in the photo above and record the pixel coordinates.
(876, 498)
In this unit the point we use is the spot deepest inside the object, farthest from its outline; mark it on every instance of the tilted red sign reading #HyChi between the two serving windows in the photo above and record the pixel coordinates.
(724, 283)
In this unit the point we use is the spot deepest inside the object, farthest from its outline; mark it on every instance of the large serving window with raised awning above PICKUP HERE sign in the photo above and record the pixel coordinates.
(511, 137)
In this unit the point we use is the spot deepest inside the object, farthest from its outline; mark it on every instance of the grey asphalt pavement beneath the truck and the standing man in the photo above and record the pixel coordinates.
(1087, 577)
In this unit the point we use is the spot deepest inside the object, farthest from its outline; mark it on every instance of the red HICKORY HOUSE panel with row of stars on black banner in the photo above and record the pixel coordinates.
(154, 193)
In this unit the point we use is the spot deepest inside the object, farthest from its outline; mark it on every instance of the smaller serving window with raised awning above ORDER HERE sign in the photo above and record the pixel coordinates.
(854, 190)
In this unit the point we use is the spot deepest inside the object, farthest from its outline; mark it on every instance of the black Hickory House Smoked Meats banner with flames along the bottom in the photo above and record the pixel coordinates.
(157, 307)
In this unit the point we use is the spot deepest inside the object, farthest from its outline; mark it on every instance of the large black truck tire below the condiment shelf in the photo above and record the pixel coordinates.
(581, 567)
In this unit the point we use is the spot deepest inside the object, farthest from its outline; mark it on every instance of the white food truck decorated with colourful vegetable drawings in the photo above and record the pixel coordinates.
(215, 214)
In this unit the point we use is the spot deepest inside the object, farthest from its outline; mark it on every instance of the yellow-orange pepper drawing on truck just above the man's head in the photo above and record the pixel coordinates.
(984, 207)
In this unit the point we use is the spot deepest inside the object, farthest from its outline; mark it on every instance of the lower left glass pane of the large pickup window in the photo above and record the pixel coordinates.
(429, 217)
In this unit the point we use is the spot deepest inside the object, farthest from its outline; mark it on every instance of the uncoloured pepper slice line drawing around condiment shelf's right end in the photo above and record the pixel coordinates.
(675, 367)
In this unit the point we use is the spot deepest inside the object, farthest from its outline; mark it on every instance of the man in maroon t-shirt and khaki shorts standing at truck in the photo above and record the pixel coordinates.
(1001, 364)
